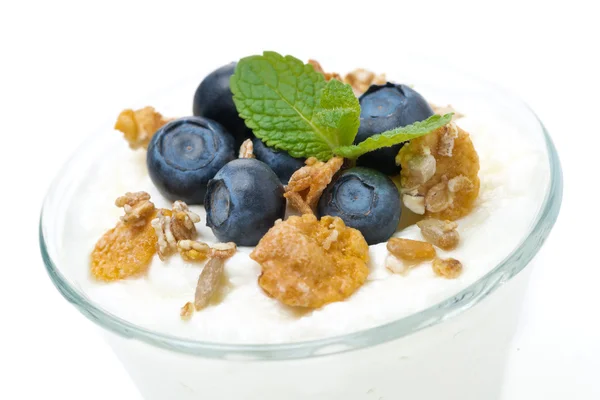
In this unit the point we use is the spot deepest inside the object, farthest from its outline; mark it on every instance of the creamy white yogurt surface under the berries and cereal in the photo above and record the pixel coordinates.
(514, 179)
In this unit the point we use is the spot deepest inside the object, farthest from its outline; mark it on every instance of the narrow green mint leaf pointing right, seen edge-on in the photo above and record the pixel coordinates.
(394, 136)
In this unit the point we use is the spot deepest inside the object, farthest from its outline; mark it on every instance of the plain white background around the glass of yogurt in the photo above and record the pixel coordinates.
(67, 67)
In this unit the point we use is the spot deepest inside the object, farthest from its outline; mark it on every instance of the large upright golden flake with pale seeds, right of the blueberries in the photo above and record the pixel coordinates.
(451, 192)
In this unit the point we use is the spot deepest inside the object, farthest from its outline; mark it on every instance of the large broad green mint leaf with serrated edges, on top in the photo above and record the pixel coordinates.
(289, 106)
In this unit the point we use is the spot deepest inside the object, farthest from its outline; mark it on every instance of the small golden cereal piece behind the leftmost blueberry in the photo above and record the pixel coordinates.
(138, 126)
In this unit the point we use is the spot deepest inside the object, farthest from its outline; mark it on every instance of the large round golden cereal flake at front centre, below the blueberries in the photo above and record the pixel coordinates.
(305, 264)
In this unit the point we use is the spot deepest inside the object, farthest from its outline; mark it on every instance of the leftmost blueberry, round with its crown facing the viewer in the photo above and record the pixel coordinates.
(185, 154)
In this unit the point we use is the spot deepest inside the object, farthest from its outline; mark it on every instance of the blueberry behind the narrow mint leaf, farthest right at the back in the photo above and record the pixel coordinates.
(385, 107)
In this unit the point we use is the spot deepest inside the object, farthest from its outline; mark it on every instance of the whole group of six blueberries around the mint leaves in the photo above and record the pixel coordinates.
(194, 159)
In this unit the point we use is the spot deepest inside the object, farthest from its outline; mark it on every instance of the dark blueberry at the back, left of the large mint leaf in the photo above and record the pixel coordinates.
(213, 99)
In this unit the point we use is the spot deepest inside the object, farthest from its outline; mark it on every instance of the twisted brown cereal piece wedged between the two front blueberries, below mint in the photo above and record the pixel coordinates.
(307, 184)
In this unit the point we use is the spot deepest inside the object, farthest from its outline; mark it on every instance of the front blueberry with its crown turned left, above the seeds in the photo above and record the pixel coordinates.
(243, 202)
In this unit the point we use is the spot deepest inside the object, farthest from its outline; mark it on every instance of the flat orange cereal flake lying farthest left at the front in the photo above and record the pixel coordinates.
(124, 251)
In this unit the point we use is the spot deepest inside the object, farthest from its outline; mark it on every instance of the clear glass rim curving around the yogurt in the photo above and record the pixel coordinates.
(452, 306)
